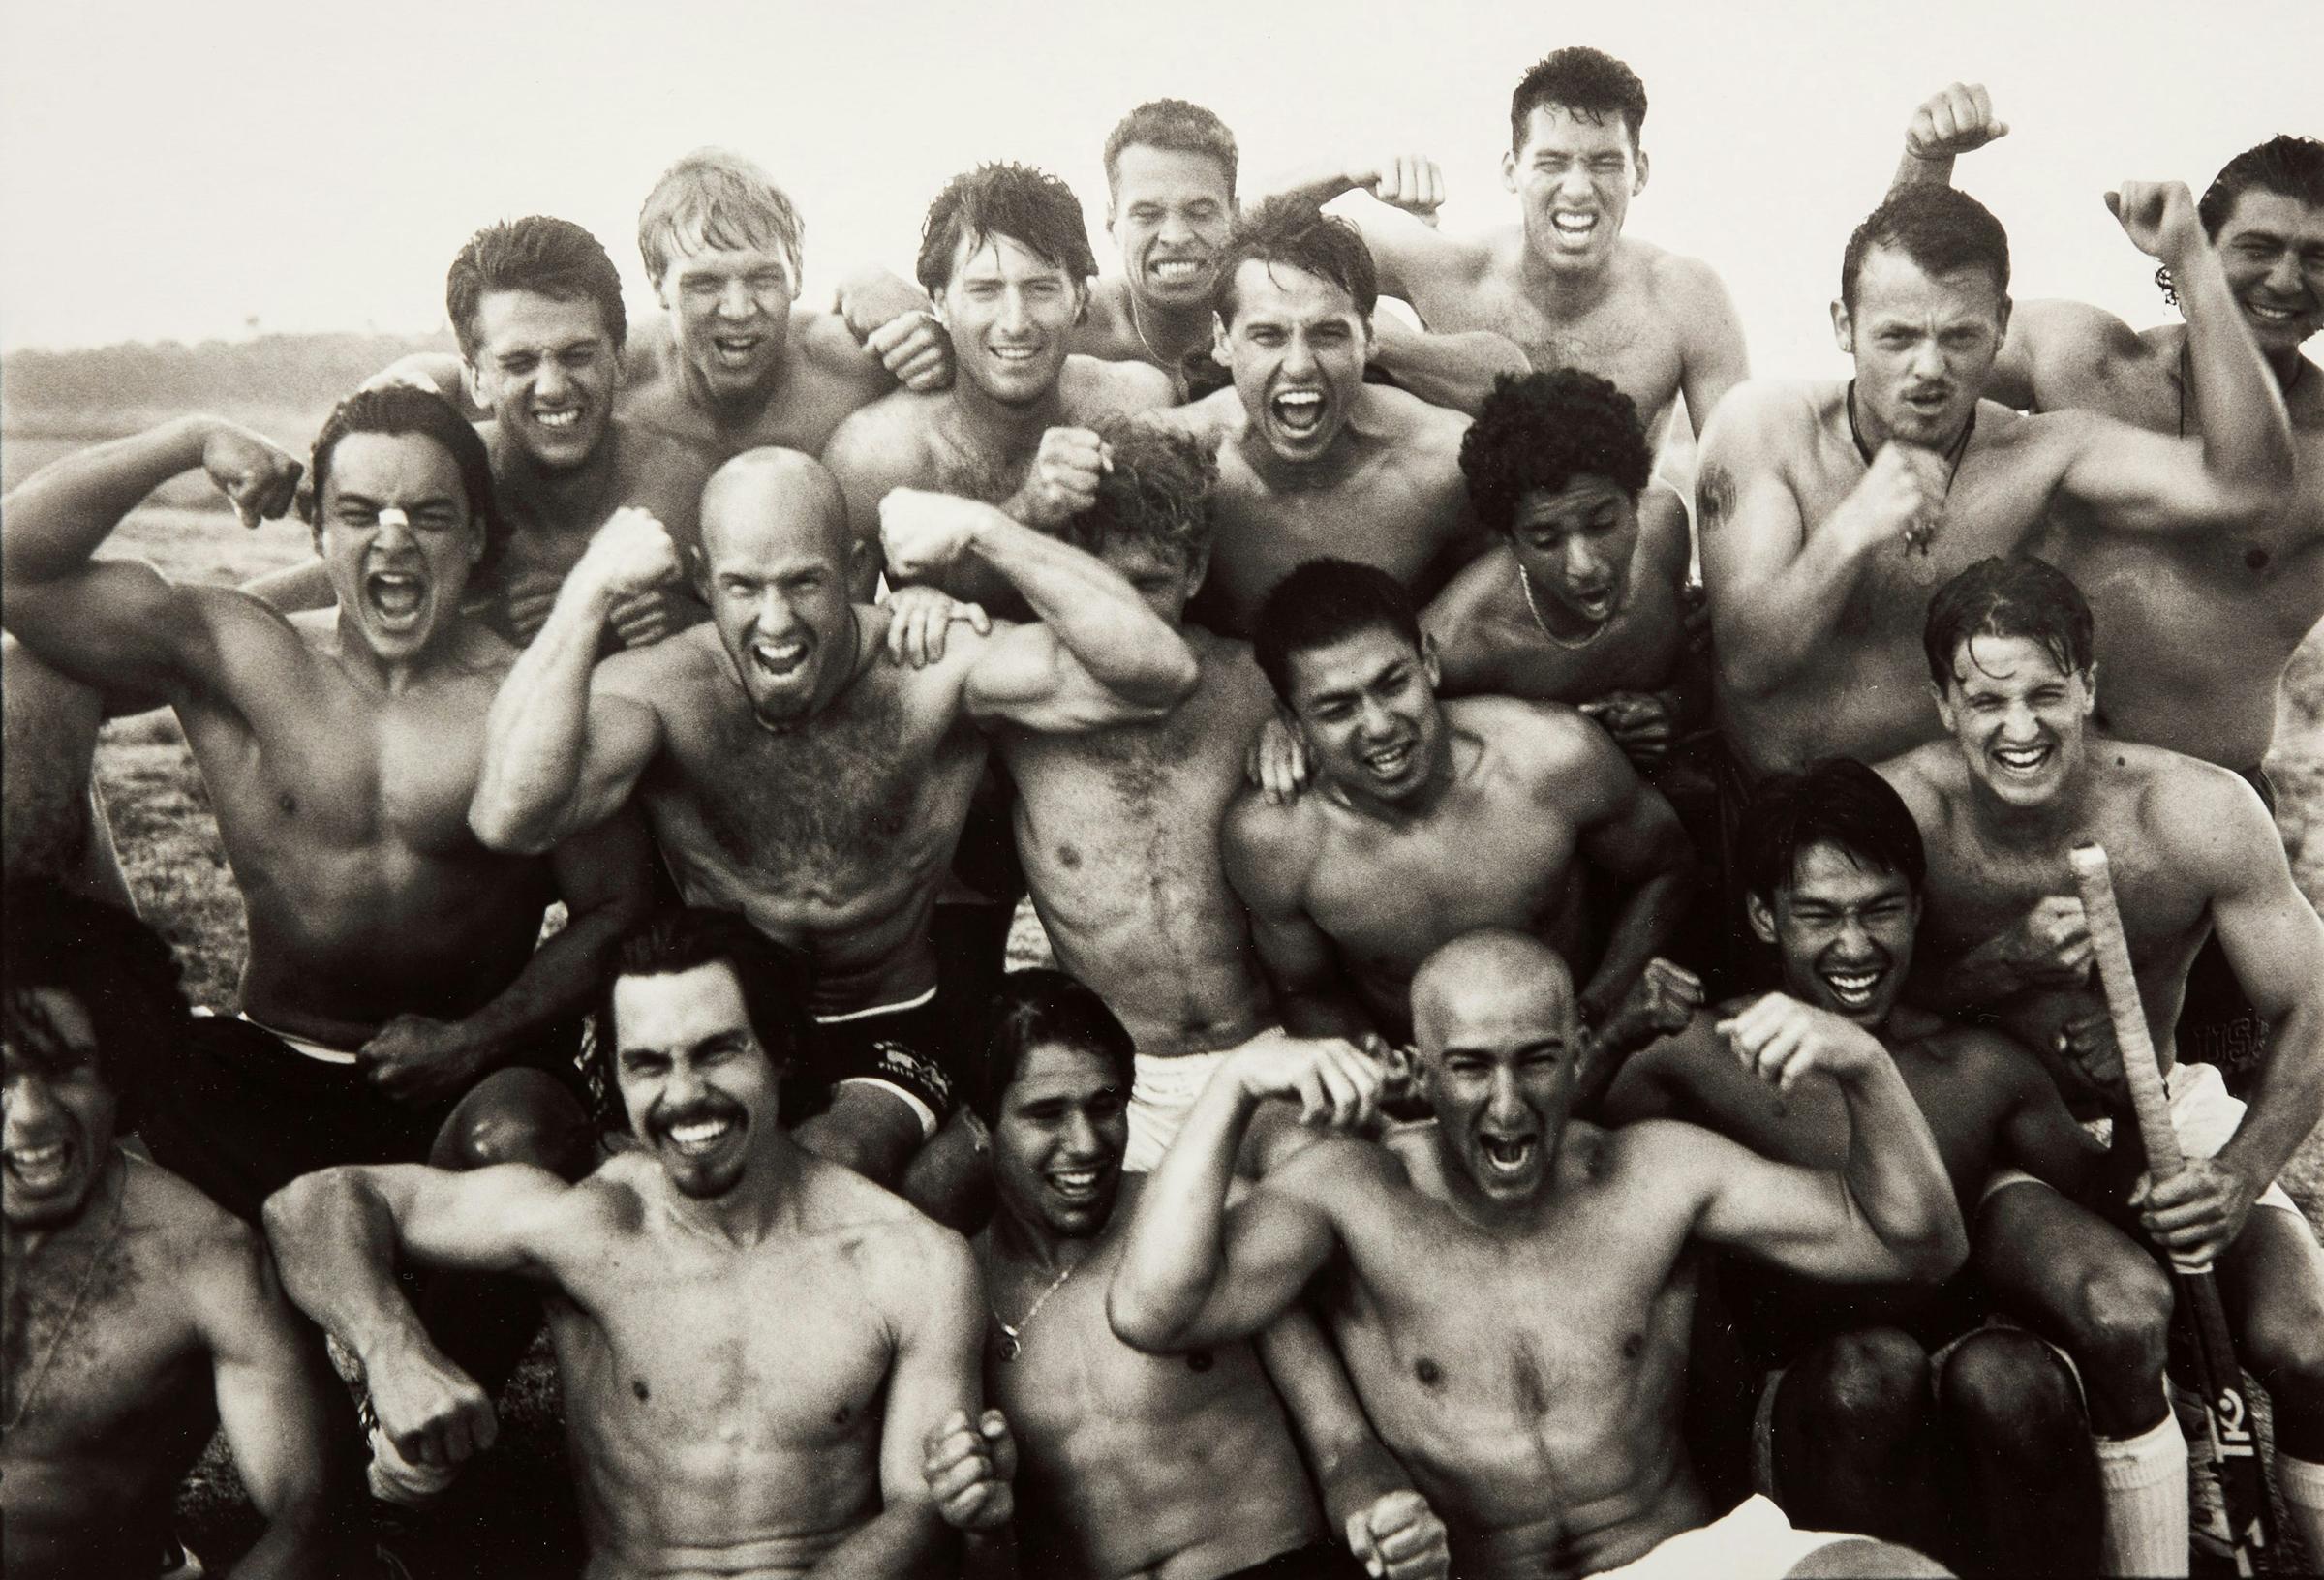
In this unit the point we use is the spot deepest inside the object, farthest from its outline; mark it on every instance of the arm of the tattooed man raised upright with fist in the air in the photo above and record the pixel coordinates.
(2239, 466)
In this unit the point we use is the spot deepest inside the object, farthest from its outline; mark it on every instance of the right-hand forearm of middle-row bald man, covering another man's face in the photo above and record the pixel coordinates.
(1091, 610)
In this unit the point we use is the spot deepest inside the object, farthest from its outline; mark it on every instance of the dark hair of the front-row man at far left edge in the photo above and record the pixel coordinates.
(115, 968)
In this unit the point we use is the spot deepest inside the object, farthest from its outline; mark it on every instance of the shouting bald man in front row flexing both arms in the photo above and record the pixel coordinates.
(1512, 1288)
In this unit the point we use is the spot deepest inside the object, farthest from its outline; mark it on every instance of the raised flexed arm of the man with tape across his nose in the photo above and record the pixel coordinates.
(120, 624)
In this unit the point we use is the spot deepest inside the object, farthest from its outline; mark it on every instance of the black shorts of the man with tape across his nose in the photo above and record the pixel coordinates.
(243, 1114)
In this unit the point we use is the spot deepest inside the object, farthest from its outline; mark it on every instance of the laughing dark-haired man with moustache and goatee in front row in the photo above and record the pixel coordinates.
(752, 1342)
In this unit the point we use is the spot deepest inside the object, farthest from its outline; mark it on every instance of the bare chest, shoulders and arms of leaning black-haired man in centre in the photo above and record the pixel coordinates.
(1349, 900)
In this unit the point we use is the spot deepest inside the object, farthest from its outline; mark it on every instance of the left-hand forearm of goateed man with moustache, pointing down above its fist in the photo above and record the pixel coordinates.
(336, 1247)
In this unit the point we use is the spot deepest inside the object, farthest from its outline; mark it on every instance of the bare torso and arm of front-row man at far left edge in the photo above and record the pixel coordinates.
(182, 1330)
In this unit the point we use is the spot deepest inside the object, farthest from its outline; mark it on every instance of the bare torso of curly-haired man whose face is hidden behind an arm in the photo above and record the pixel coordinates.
(1119, 835)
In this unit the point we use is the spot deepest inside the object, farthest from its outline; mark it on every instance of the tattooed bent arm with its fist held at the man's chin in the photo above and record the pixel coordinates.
(1779, 582)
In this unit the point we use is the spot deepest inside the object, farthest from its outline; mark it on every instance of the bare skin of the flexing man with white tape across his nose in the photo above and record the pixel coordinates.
(340, 775)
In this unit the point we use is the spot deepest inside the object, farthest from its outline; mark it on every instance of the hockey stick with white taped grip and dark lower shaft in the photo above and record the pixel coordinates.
(2214, 1351)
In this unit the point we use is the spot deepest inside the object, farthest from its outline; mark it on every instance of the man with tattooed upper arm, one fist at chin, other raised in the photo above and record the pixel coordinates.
(1832, 510)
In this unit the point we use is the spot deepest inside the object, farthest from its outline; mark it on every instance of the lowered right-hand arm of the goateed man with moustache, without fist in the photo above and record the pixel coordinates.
(935, 1305)
